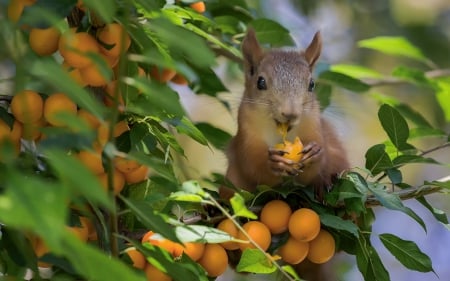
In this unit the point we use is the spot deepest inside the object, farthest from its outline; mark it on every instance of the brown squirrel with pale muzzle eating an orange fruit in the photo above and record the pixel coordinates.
(279, 91)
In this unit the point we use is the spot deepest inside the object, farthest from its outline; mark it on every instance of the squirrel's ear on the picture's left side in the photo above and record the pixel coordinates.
(252, 51)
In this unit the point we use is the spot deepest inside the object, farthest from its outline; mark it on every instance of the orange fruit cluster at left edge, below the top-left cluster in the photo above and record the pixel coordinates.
(32, 113)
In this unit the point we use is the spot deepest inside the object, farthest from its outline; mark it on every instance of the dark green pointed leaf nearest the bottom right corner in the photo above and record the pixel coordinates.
(407, 253)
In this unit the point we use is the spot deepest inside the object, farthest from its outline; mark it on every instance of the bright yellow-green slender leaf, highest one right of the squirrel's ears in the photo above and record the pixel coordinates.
(398, 46)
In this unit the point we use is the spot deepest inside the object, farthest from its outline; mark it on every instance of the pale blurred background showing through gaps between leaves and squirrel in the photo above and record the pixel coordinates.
(342, 23)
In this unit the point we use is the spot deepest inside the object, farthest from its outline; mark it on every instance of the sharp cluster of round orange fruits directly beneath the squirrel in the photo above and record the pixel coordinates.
(306, 237)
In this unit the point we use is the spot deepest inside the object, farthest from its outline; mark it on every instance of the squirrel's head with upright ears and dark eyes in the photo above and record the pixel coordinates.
(280, 80)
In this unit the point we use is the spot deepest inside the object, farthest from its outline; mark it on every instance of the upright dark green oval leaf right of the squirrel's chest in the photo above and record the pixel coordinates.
(394, 125)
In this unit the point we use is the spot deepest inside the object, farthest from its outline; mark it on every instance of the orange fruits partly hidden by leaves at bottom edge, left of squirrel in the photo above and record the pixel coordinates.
(212, 257)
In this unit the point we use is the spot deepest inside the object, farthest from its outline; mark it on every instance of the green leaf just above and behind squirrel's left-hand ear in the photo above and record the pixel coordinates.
(271, 32)
